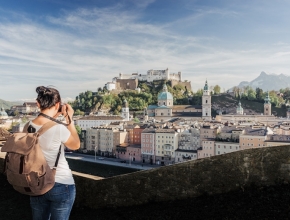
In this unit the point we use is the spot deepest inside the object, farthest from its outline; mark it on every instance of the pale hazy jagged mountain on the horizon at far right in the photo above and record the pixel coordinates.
(268, 82)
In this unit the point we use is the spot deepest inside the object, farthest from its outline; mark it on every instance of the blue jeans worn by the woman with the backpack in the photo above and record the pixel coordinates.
(56, 204)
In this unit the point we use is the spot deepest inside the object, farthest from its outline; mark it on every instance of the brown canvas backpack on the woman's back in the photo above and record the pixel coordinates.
(25, 165)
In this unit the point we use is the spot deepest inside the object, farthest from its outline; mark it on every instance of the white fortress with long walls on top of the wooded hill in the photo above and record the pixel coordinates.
(130, 81)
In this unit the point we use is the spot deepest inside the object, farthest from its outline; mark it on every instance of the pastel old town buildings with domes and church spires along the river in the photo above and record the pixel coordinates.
(194, 134)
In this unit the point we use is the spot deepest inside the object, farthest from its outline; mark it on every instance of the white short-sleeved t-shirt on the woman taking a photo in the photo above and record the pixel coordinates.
(49, 142)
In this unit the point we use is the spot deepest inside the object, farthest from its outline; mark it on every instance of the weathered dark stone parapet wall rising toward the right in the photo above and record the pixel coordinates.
(208, 176)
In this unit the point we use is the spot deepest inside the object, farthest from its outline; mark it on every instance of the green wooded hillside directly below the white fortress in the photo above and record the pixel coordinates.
(112, 102)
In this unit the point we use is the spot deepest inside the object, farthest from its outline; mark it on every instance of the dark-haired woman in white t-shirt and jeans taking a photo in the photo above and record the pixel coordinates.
(57, 202)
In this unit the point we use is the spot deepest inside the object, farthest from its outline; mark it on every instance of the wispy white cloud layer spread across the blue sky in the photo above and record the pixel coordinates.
(85, 48)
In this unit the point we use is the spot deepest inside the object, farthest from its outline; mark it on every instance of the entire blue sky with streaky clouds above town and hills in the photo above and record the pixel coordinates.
(80, 45)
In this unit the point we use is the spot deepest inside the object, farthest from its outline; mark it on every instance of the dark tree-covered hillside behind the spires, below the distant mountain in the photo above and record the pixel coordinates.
(228, 105)
